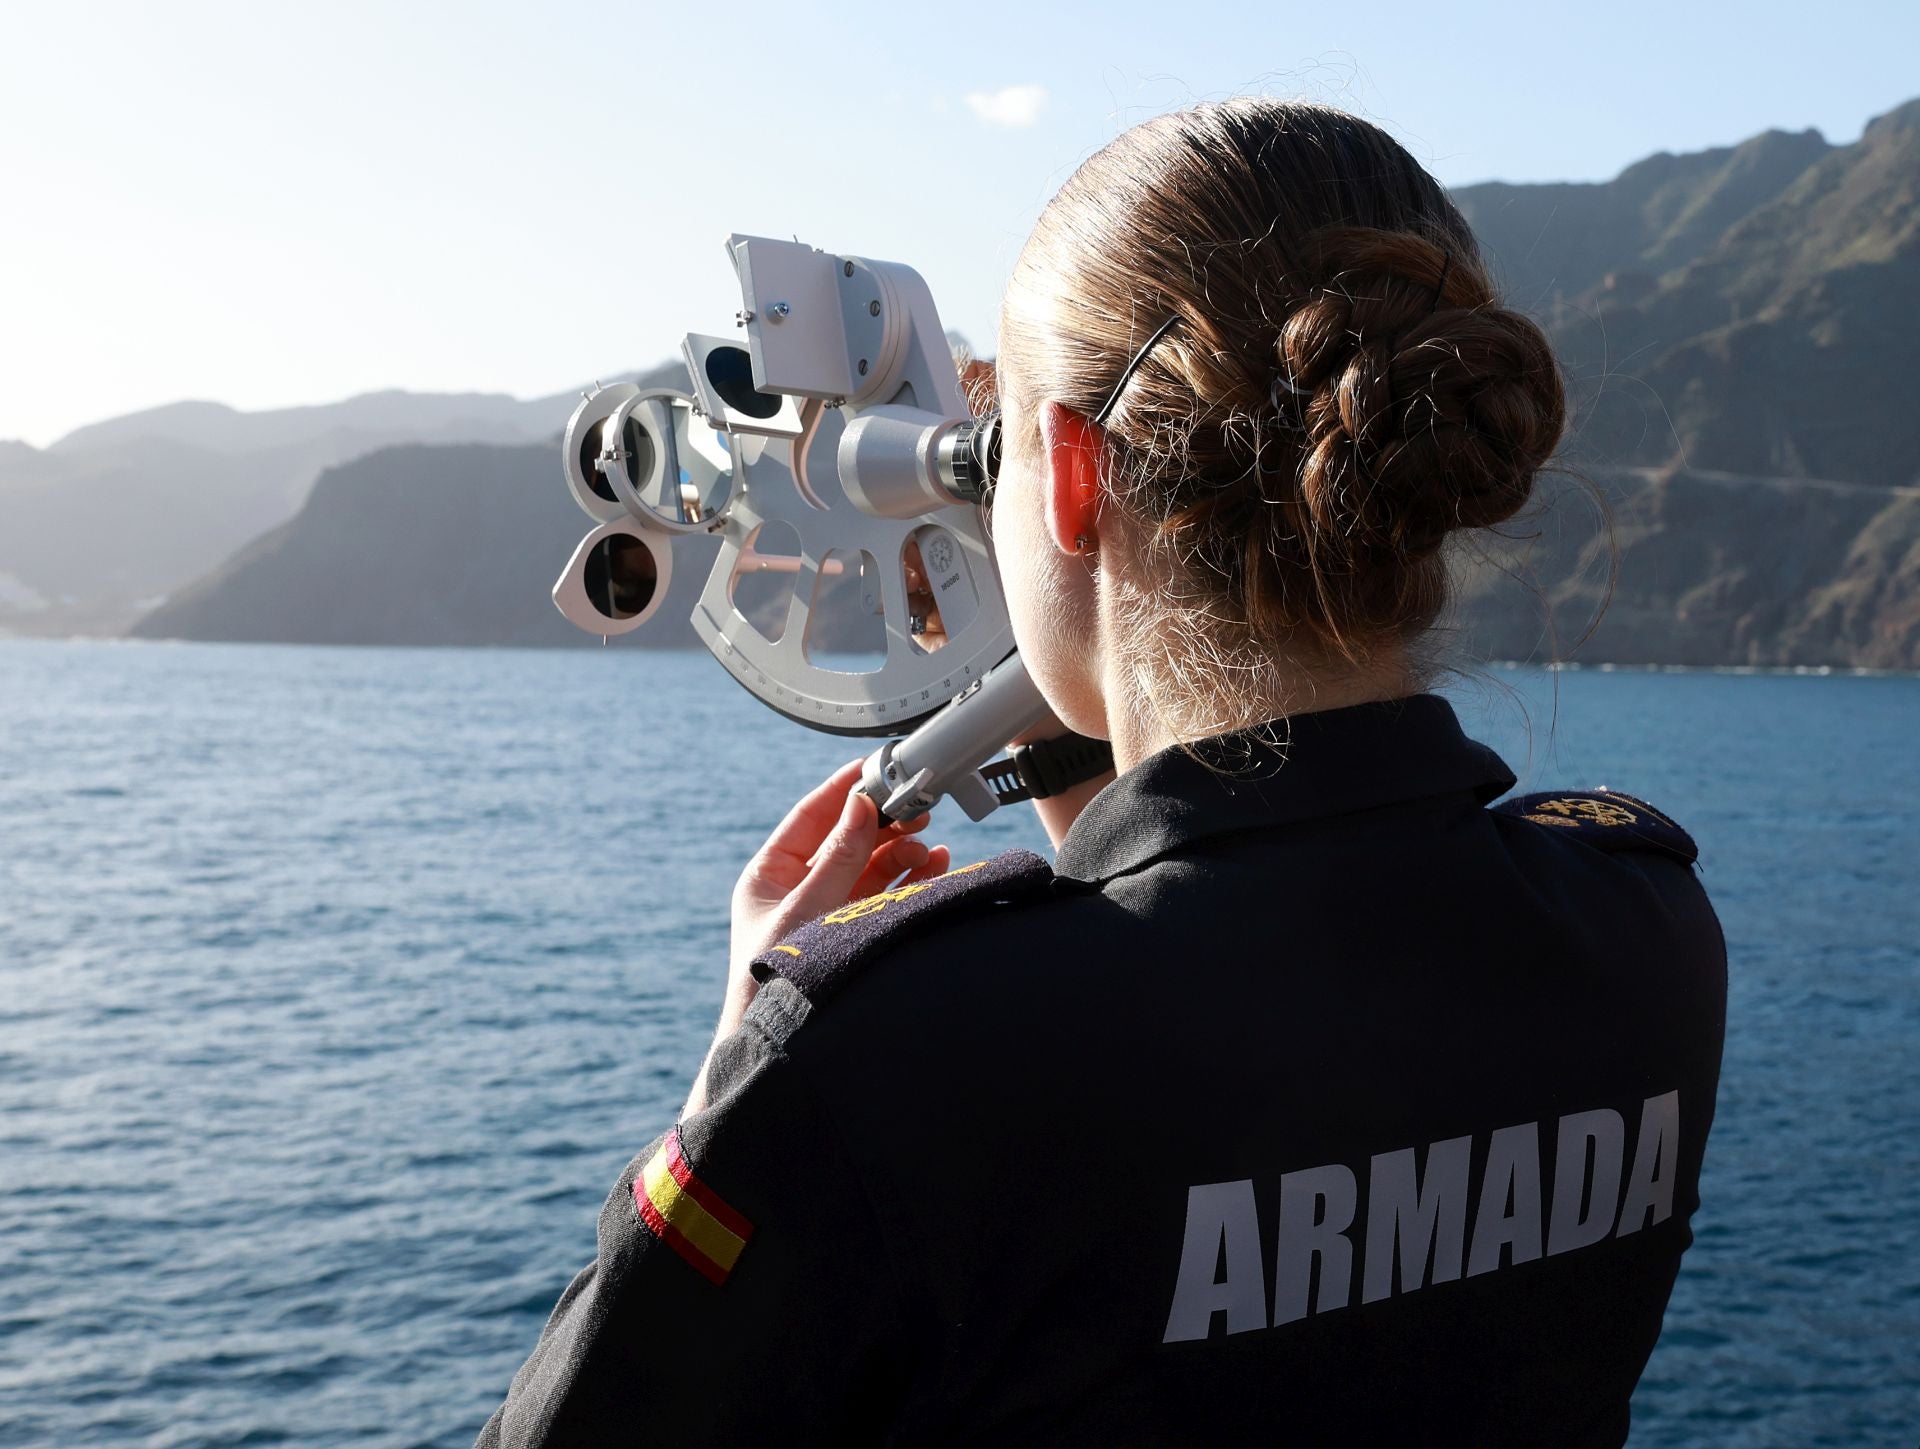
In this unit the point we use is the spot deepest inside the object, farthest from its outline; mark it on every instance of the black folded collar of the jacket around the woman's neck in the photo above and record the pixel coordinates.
(1328, 765)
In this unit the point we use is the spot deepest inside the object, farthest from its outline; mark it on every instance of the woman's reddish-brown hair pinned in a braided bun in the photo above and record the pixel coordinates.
(1341, 392)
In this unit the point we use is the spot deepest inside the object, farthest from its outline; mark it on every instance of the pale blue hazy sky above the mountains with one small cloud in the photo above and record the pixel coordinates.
(274, 204)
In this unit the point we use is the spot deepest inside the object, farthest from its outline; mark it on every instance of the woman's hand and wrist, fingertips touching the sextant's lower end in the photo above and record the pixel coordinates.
(828, 851)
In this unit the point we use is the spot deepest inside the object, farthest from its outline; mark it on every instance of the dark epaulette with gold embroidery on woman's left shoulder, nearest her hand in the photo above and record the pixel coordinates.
(825, 955)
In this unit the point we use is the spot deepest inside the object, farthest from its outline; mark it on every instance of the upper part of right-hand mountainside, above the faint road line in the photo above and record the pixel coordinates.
(1746, 310)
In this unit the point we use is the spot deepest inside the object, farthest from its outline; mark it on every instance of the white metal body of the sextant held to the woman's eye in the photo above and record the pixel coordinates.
(823, 333)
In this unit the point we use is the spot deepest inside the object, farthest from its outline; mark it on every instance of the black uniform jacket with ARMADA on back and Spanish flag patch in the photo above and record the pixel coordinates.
(1308, 1099)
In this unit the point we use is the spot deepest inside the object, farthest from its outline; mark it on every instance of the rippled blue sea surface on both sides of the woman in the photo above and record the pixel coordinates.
(339, 986)
